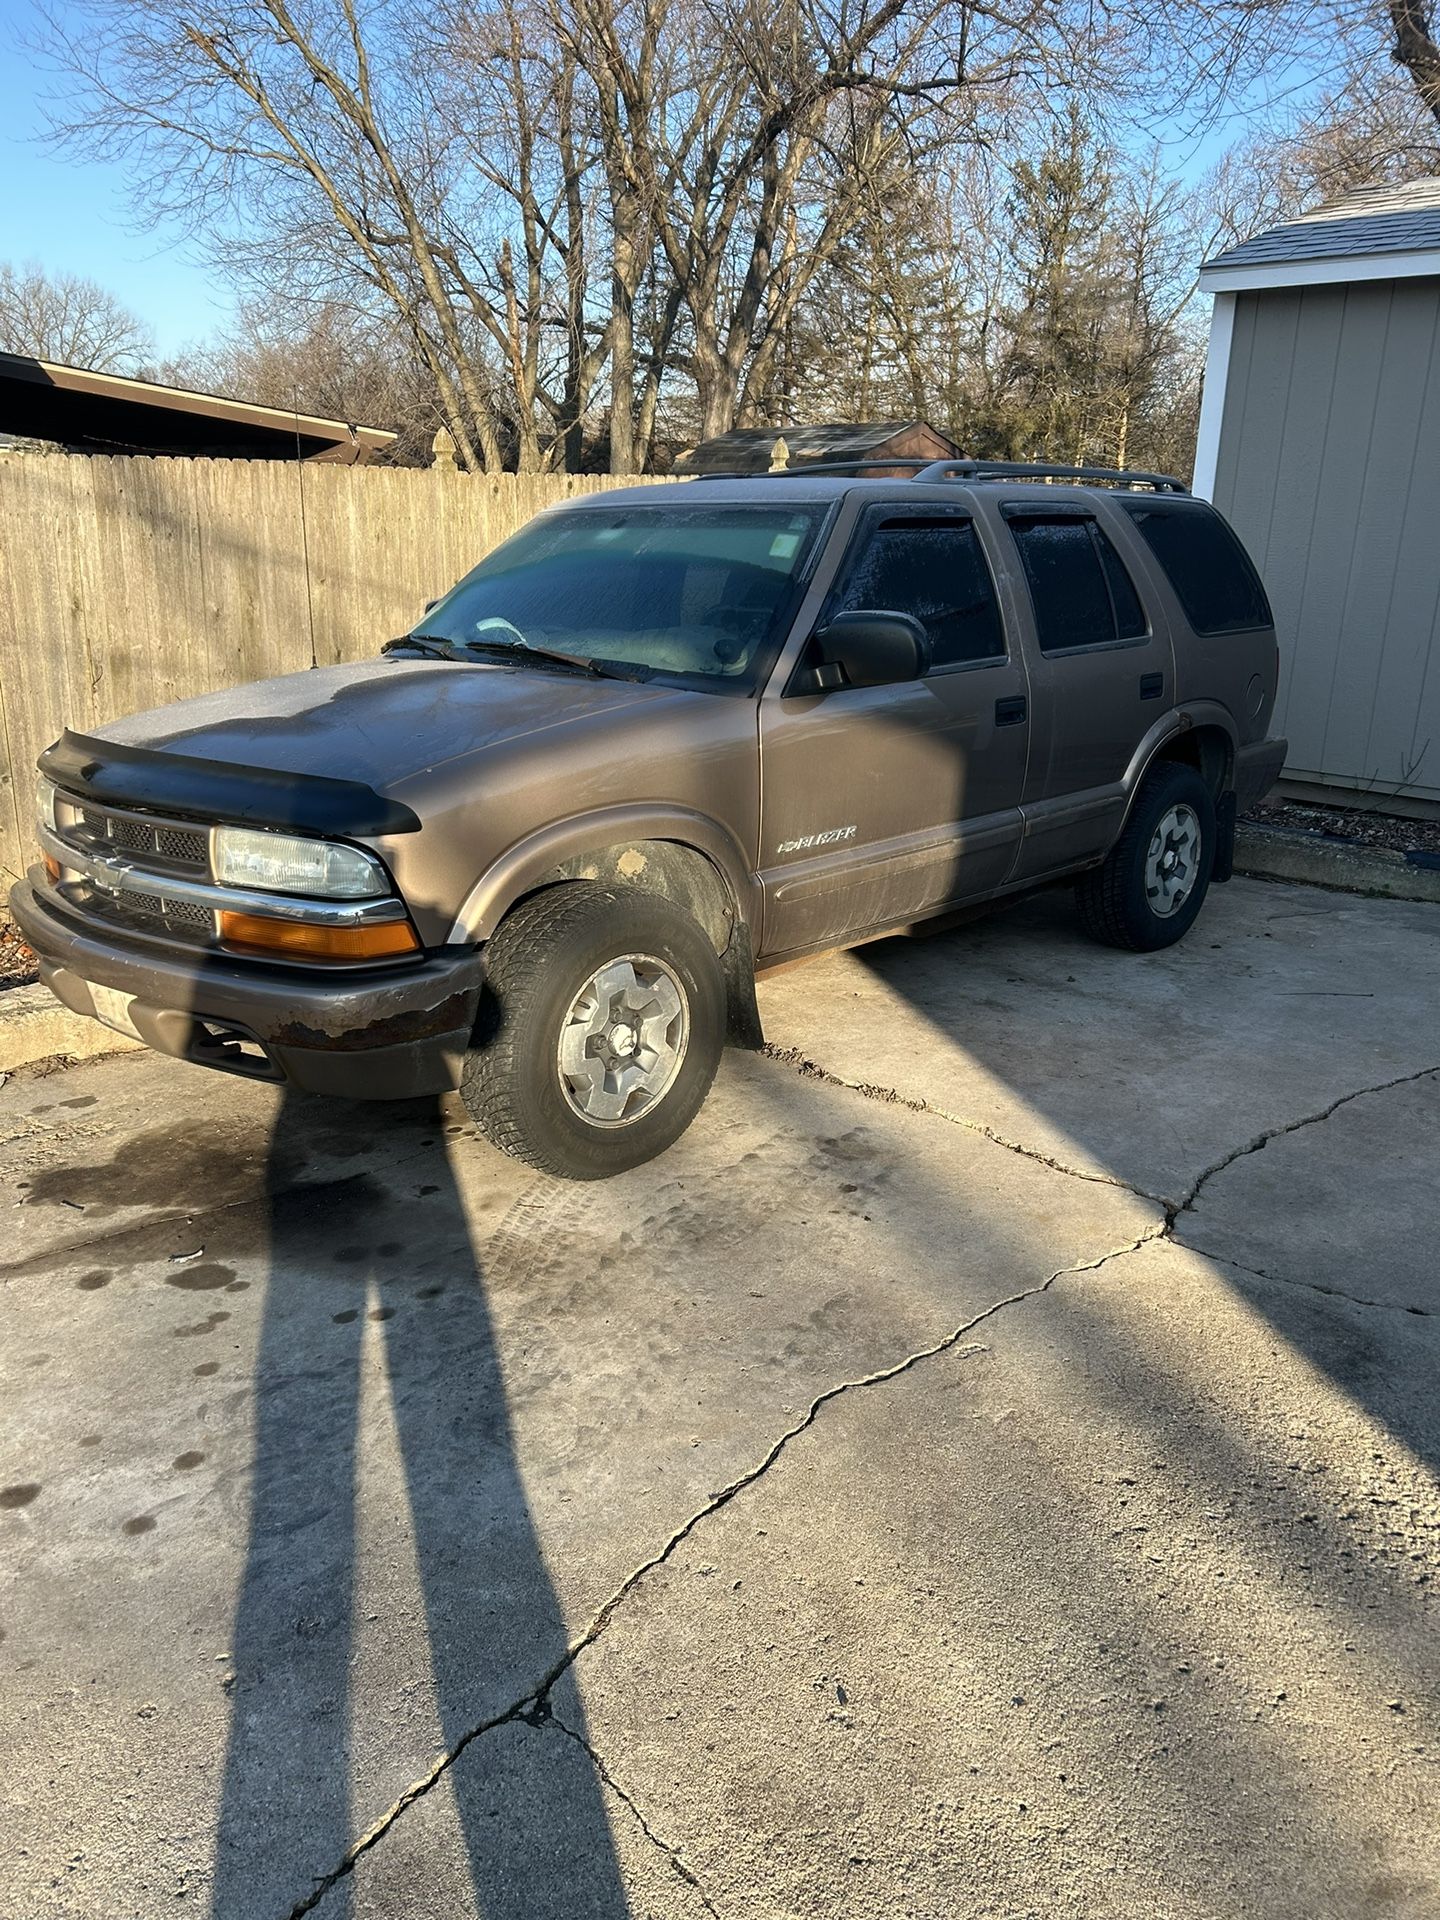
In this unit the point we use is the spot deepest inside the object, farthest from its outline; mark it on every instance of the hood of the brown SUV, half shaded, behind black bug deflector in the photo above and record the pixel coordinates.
(379, 723)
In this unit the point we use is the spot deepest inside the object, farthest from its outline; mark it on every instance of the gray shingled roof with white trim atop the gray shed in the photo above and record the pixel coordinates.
(1378, 233)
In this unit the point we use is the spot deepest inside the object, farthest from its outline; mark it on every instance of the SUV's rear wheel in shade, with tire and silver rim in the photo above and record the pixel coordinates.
(1124, 901)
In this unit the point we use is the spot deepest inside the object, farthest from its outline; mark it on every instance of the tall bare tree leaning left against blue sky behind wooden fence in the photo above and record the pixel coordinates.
(310, 141)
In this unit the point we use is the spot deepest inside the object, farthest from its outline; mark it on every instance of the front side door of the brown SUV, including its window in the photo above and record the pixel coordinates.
(880, 805)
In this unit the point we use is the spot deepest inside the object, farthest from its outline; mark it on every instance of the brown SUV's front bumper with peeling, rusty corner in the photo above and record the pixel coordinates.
(375, 1034)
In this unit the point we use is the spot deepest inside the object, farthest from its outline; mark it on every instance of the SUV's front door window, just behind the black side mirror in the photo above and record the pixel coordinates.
(930, 569)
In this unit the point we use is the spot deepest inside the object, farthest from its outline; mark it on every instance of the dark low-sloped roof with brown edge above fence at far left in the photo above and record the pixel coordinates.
(87, 412)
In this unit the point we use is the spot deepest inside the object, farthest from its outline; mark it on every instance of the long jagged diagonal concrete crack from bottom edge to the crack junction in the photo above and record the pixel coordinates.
(537, 1706)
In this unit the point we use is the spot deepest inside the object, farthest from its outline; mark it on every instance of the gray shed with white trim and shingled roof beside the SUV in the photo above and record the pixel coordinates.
(1320, 439)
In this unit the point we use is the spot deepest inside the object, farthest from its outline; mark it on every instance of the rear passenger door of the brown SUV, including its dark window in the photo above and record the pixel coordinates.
(1101, 671)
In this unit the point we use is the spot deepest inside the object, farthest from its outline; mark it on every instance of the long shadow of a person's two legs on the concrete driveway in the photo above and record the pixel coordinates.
(414, 1326)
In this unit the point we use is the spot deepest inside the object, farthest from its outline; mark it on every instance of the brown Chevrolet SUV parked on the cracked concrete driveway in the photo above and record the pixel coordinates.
(660, 740)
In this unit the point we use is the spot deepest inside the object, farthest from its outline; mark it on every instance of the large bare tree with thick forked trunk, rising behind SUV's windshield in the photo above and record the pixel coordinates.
(748, 135)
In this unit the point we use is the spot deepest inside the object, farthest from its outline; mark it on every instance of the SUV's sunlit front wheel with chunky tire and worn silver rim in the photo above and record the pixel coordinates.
(633, 1088)
